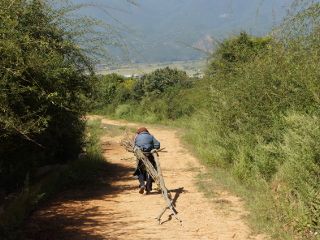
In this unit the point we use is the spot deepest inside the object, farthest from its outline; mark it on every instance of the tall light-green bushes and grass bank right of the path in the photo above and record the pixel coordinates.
(261, 124)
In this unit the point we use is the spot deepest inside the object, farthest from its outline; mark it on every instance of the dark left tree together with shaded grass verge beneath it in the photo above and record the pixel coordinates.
(46, 86)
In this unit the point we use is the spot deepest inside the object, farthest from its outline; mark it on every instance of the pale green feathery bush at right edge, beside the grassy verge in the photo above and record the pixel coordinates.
(297, 180)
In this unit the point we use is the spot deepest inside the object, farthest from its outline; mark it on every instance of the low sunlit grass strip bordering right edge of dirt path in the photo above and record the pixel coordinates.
(257, 197)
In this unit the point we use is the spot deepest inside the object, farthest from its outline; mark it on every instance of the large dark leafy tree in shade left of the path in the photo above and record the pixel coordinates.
(45, 82)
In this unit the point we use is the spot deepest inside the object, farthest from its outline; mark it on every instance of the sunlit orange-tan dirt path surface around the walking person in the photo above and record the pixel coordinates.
(118, 211)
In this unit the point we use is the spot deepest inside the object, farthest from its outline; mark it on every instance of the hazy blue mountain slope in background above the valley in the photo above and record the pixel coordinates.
(170, 30)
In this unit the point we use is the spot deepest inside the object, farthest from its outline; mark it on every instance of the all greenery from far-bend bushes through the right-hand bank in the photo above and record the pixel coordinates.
(253, 119)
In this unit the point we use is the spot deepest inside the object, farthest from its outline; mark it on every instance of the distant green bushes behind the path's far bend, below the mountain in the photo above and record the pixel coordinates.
(153, 97)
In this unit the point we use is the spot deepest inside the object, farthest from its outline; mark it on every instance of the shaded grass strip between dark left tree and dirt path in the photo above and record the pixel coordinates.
(78, 173)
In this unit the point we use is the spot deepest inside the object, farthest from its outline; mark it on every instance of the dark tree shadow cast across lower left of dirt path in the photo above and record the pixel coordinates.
(68, 217)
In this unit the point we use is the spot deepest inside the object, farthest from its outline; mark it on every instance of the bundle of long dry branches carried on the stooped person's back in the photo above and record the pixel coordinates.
(128, 143)
